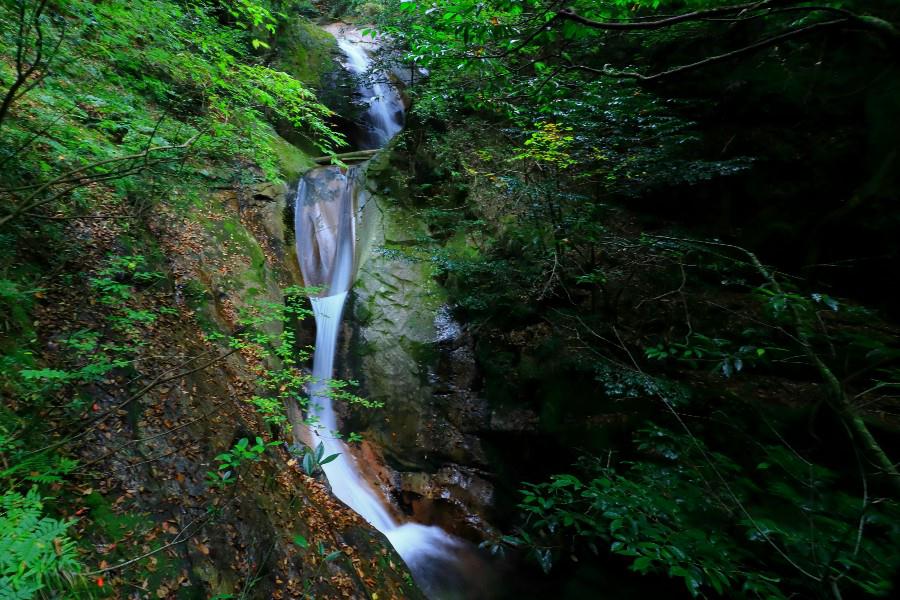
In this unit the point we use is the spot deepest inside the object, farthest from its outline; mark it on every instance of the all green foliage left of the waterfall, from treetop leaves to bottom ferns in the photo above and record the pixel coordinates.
(186, 91)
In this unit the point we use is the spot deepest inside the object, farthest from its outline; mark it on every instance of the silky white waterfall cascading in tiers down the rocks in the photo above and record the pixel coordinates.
(328, 202)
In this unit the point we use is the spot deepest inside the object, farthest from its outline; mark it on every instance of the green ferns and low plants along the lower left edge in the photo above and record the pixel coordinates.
(28, 456)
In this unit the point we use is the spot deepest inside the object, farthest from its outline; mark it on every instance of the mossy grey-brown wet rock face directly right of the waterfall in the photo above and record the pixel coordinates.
(401, 343)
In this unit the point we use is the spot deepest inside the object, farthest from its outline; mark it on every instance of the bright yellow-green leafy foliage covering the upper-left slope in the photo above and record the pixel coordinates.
(157, 73)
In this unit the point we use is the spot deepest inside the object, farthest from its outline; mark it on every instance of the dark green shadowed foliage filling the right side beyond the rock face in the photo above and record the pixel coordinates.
(521, 245)
